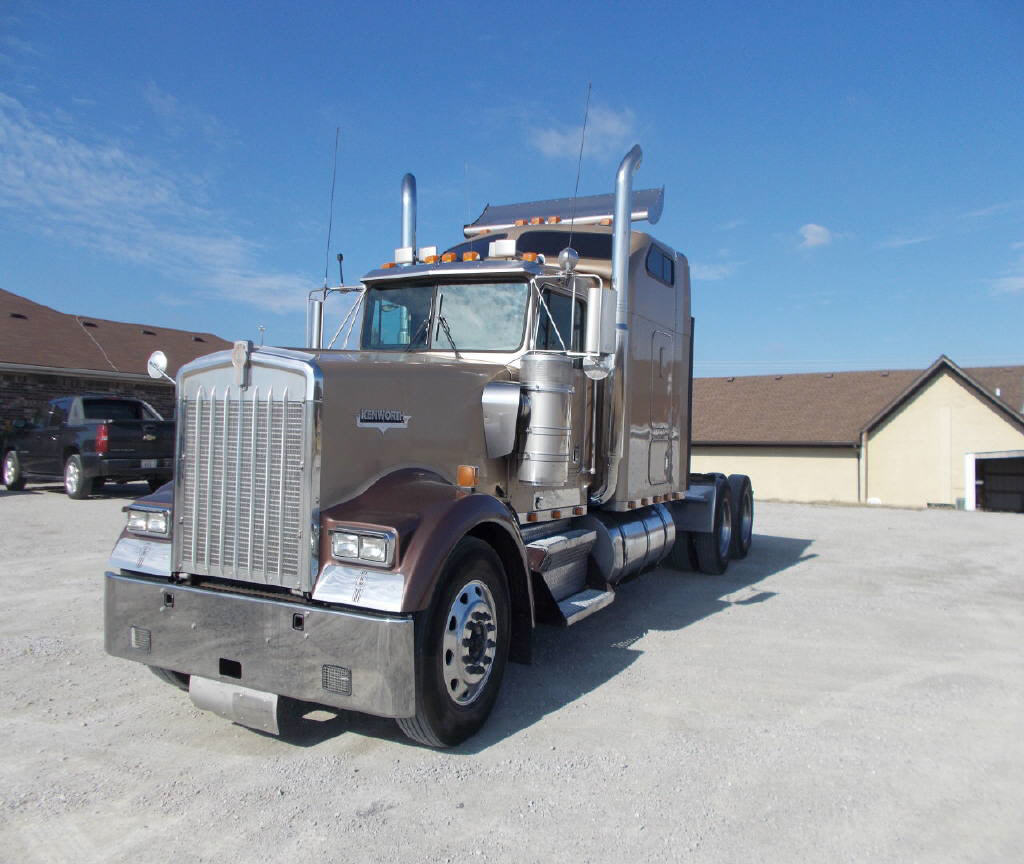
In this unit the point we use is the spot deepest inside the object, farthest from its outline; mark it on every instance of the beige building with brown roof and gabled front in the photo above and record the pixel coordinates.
(946, 436)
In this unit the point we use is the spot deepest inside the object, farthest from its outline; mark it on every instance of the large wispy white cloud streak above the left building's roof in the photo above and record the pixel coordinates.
(102, 196)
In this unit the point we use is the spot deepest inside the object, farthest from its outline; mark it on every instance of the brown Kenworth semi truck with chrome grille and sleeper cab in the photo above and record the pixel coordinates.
(380, 529)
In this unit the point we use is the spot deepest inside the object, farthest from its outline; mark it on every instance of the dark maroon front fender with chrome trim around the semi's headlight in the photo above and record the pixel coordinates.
(431, 516)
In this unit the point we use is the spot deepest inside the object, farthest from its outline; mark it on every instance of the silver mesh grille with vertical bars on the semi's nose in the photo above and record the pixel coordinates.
(240, 514)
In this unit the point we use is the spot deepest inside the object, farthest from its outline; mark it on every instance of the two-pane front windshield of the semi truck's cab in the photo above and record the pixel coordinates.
(472, 317)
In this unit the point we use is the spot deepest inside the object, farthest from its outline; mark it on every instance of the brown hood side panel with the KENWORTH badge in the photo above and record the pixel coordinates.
(383, 412)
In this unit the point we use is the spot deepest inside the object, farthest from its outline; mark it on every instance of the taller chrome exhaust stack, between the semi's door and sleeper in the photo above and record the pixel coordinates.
(616, 387)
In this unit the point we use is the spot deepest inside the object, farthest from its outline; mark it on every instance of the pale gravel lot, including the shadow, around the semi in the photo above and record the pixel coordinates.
(852, 692)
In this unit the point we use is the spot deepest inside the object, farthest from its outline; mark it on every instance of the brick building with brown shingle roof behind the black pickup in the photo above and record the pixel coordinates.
(46, 354)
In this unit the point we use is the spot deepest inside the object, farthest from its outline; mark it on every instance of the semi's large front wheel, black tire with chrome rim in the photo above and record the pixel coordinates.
(462, 649)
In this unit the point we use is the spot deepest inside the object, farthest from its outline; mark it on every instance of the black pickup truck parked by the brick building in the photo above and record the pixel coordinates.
(88, 441)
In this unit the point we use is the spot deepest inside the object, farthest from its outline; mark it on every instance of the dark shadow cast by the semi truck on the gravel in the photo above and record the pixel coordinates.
(571, 663)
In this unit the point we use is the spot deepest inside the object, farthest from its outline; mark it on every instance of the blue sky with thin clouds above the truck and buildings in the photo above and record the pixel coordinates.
(846, 180)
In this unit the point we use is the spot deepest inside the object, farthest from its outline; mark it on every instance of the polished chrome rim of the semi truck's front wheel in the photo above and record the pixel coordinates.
(470, 645)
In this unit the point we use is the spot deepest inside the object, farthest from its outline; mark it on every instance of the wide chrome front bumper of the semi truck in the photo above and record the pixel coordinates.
(345, 660)
